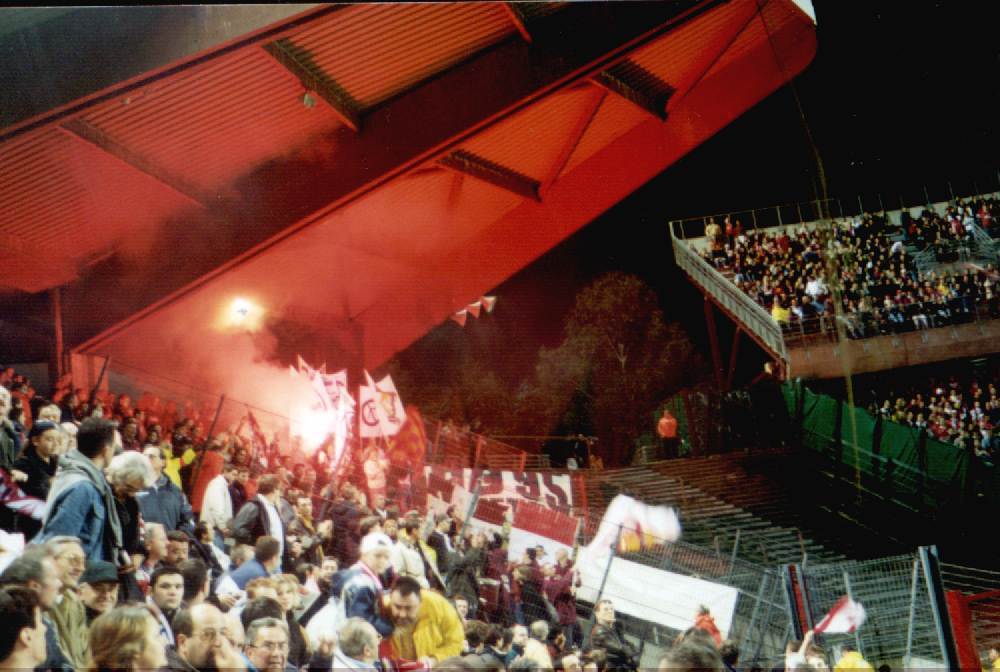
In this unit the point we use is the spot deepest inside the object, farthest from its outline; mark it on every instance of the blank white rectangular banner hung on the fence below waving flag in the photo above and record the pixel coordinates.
(654, 594)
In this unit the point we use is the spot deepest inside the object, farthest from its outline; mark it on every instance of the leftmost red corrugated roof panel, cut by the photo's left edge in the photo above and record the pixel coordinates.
(63, 193)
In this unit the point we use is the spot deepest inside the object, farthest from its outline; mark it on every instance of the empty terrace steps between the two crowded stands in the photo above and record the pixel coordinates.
(761, 503)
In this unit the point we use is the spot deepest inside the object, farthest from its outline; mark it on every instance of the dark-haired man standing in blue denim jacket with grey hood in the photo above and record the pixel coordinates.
(81, 503)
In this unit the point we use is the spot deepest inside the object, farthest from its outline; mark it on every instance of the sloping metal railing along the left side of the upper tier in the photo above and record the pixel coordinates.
(751, 314)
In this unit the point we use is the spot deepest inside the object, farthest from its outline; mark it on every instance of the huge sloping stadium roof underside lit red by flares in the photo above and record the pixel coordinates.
(370, 169)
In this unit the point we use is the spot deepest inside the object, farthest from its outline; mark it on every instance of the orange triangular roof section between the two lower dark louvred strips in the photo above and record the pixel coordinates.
(531, 141)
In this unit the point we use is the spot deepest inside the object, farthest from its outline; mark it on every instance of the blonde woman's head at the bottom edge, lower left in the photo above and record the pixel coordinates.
(126, 638)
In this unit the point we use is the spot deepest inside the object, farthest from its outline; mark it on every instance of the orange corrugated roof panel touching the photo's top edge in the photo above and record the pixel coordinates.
(375, 51)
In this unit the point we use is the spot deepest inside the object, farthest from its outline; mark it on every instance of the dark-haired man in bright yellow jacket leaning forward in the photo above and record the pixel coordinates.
(426, 626)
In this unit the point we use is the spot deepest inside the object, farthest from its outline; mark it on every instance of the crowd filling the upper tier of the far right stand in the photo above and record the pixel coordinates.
(789, 270)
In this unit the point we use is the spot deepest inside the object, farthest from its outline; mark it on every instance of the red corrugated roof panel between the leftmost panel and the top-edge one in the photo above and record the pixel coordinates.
(217, 121)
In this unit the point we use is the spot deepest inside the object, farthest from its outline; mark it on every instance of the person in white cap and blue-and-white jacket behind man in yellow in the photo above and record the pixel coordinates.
(360, 587)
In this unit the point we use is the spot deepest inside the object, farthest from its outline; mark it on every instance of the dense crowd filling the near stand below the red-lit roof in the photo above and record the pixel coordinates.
(198, 553)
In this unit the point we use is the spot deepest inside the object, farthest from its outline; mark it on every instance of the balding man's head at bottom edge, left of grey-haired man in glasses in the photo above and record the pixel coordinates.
(203, 642)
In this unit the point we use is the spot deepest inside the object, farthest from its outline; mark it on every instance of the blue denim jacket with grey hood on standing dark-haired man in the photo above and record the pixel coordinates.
(81, 504)
